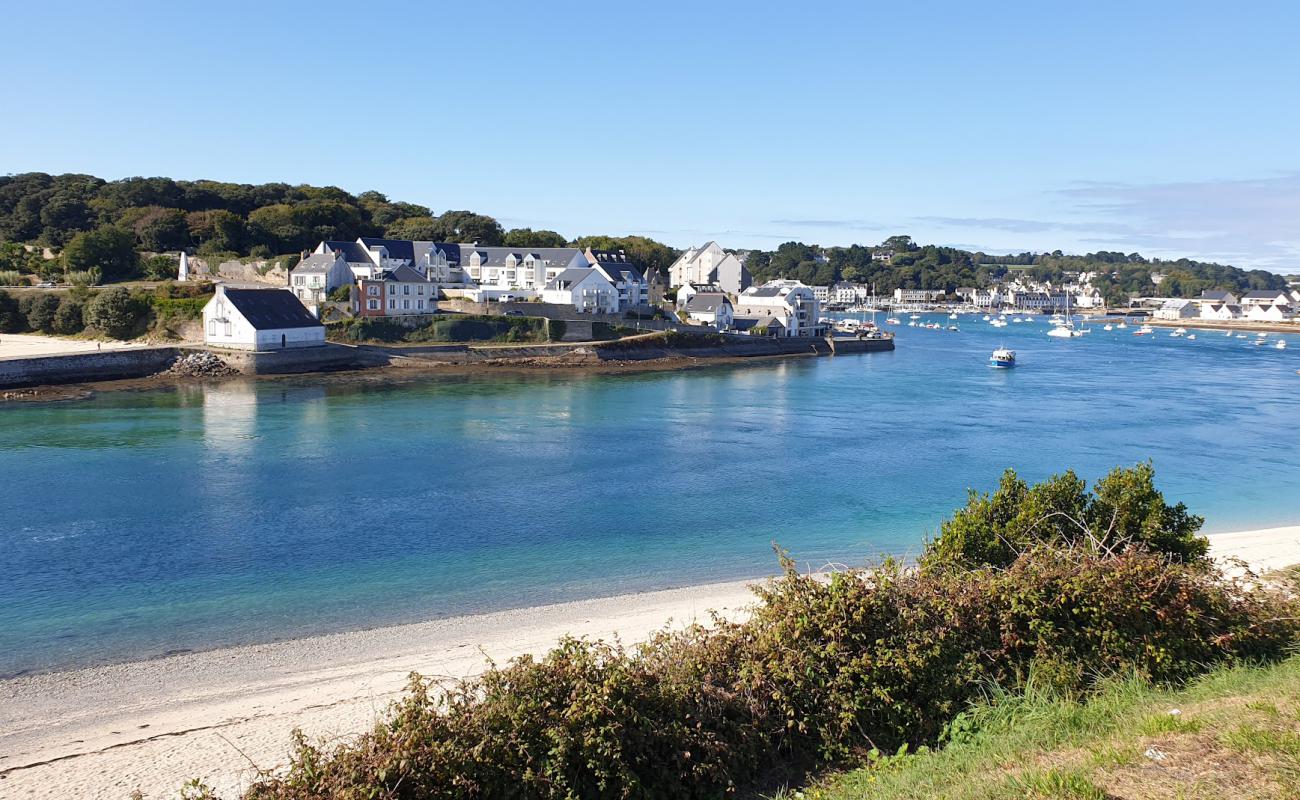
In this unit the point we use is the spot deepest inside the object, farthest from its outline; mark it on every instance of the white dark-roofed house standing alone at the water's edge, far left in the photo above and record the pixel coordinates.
(259, 319)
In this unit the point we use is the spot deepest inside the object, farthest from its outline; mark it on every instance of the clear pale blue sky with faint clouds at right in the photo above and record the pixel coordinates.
(1163, 128)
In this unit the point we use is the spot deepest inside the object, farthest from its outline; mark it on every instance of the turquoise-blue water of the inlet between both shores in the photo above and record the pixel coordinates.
(142, 524)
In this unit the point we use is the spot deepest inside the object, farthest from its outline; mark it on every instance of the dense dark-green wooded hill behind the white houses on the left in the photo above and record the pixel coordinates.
(211, 218)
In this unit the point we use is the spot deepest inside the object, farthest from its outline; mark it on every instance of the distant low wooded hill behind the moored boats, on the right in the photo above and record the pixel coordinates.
(933, 267)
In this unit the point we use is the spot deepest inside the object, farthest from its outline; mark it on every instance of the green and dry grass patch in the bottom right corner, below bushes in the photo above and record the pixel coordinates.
(1234, 733)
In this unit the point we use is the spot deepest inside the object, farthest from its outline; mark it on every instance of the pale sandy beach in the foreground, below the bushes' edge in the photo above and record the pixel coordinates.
(106, 732)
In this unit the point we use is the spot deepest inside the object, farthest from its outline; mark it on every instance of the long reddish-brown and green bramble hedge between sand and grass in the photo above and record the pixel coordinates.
(822, 673)
